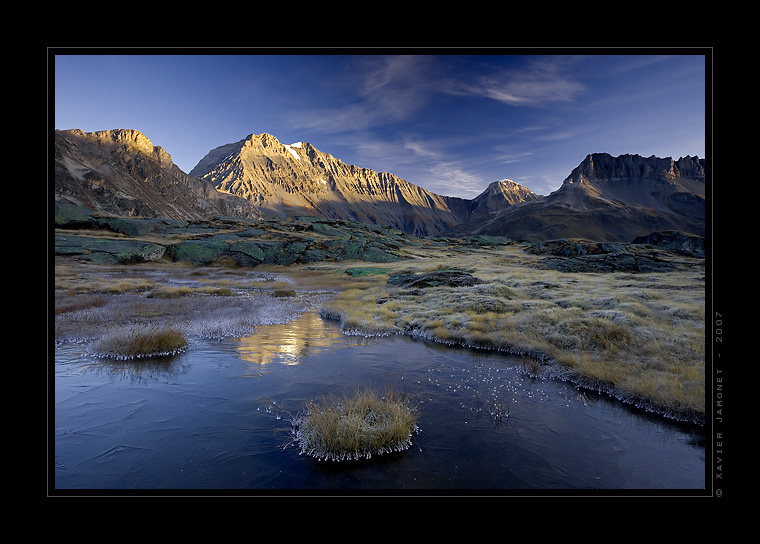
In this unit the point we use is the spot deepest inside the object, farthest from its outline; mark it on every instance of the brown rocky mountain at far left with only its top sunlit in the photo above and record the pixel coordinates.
(121, 172)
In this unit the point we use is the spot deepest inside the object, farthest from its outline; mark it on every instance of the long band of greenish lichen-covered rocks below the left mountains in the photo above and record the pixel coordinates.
(220, 241)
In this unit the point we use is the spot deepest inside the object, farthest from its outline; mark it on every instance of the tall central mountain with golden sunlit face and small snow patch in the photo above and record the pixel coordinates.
(298, 179)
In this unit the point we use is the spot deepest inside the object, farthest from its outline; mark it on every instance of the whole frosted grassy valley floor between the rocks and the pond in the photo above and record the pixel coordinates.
(639, 336)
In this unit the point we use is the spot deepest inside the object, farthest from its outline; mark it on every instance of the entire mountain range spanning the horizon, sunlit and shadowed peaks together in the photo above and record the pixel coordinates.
(605, 198)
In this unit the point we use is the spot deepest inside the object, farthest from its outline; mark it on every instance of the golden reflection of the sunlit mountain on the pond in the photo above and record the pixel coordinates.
(289, 343)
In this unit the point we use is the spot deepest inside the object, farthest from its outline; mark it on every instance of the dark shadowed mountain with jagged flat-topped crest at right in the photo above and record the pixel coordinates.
(606, 198)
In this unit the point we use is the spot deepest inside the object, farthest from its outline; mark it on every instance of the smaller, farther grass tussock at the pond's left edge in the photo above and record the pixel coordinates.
(142, 342)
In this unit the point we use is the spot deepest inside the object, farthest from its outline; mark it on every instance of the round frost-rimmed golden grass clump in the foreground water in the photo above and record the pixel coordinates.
(352, 428)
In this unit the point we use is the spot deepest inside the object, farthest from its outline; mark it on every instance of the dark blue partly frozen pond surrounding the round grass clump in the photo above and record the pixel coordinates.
(217, 418)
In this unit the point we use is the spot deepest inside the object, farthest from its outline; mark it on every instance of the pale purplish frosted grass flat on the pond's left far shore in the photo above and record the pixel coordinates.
(199, 303)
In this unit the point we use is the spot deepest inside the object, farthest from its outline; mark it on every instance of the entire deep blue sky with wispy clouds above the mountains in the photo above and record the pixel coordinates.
(451, 123)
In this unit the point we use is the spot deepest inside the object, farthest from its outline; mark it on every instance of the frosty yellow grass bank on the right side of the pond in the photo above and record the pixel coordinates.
(640, 337)
